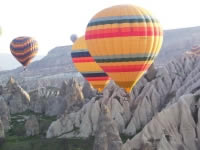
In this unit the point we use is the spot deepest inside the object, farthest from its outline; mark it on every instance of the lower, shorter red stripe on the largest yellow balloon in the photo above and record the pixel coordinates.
(125, 68)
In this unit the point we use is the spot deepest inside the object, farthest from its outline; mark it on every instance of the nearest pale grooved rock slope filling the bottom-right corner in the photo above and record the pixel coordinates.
(174, 127)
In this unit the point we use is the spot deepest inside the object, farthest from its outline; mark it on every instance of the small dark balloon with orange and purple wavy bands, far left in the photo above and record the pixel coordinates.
(24, 49)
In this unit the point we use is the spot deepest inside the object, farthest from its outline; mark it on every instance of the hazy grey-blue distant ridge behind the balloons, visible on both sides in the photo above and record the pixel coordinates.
(58, 65)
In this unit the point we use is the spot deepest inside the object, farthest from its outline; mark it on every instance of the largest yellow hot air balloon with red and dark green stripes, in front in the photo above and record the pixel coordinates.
(124, 40)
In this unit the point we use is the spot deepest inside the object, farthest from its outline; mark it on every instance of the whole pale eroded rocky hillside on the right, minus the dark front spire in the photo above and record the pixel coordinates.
(158, 113)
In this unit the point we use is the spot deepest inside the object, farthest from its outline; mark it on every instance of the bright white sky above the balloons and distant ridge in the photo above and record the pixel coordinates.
(51, 22)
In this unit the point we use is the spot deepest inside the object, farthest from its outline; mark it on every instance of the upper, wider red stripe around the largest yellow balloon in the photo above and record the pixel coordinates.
(121, 32)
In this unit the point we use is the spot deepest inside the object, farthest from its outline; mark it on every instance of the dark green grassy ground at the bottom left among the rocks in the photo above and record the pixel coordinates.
(16, 139)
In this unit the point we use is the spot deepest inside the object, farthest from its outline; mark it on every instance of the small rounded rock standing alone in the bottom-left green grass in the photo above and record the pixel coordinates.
(32, 126)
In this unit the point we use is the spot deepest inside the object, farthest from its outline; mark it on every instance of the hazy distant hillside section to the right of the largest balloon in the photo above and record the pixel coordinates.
(176, 42)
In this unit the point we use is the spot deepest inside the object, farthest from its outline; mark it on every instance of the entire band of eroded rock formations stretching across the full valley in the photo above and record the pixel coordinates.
(162, 111)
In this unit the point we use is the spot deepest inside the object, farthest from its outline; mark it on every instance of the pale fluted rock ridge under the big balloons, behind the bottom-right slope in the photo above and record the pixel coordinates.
(132, 112)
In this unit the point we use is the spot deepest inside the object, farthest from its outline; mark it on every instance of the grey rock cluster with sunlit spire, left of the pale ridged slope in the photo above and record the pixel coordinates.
(54, 101)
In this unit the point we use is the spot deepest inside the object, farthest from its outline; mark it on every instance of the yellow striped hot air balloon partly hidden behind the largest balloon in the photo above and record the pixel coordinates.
(86, 65)
